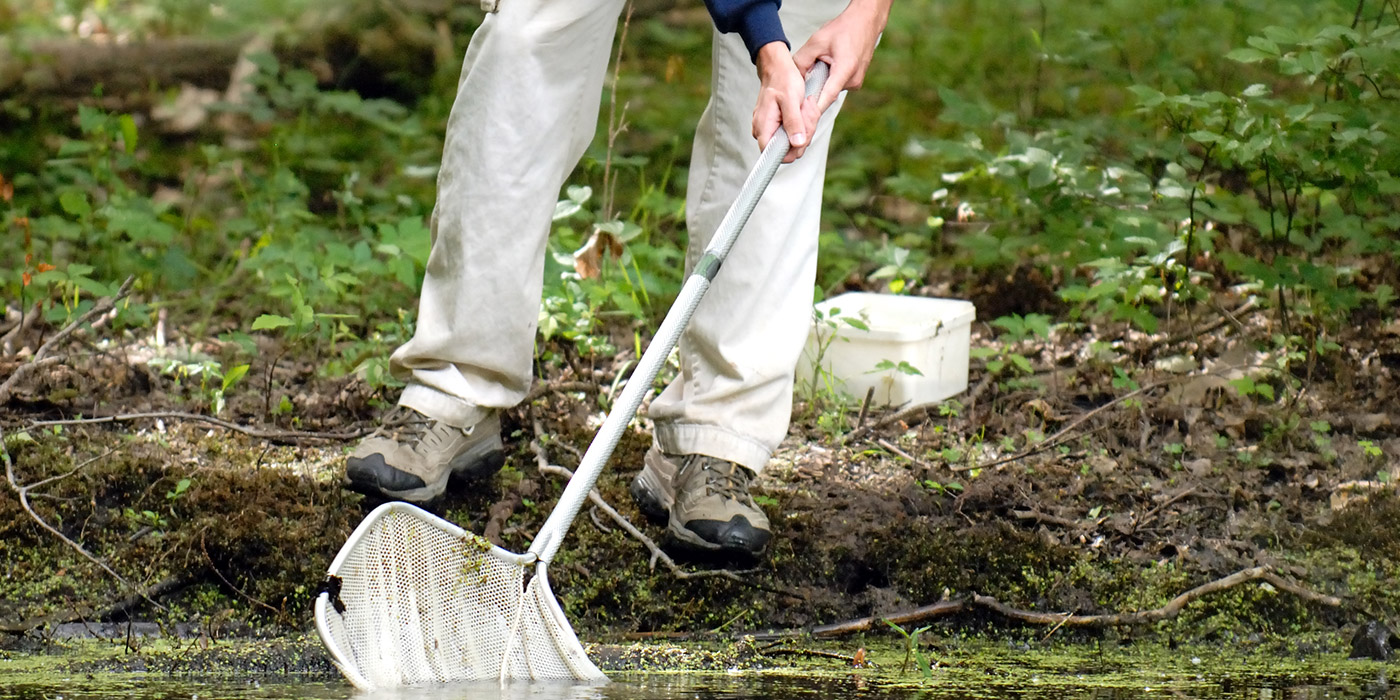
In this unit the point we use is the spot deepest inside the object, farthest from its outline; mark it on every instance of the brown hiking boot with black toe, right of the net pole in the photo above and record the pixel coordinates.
(705, 500)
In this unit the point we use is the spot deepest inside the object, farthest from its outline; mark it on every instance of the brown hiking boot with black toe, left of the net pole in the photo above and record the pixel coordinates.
(412, 457)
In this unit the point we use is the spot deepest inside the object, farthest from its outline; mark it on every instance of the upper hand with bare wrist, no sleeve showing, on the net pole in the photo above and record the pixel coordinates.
(846, 44)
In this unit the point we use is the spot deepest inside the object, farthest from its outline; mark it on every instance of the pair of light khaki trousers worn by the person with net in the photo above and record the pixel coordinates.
(526, 111)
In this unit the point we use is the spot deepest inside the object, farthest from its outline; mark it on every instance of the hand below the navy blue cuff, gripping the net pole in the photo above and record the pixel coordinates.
(782, 101)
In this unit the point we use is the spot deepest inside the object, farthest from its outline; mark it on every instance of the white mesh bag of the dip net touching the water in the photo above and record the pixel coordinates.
(416, 600)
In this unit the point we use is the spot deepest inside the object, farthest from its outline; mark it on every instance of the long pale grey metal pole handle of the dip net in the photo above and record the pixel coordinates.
(547, 544)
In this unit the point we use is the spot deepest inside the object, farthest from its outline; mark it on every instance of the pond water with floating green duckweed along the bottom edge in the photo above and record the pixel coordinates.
(290, 668)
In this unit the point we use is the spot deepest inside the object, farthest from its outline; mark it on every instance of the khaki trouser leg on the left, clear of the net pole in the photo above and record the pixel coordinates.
(526, 111)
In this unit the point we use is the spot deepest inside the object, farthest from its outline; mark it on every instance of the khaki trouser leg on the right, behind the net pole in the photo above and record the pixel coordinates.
(734, 395)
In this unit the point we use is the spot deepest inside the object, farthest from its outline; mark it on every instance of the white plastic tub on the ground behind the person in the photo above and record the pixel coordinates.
(888, 338)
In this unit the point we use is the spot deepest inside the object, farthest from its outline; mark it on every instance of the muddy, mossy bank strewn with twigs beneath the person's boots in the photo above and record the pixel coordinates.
(1073, 489)
